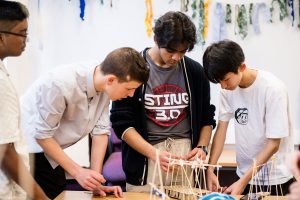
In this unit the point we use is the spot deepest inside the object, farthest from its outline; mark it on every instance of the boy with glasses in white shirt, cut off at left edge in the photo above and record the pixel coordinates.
(13, 155)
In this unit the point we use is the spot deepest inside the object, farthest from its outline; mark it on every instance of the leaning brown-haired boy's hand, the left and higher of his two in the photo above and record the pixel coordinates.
(89, 179)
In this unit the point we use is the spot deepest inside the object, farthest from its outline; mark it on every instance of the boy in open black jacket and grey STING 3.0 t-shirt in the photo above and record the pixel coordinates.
(172, 112)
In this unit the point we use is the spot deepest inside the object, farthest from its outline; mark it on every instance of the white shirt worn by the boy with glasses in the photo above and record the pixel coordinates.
(10, 133)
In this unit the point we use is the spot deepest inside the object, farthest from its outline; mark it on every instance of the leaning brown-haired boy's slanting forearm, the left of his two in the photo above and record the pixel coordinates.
(52, 149)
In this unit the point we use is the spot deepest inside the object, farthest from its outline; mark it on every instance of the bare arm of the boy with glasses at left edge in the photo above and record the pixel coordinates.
(14, 166)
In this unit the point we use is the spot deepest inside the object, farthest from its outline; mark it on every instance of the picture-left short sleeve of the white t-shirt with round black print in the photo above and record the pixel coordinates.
(225, 111)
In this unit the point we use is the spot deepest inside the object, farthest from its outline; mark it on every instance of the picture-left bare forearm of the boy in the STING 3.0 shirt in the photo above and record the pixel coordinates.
(135, 141)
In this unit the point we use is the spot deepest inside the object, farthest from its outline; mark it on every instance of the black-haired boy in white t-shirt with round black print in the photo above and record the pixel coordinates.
(258, 102)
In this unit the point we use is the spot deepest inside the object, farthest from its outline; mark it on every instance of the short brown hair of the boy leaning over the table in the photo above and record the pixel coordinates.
(126, 64)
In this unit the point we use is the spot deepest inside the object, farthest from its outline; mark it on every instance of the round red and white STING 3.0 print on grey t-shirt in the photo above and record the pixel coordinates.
(166, 106)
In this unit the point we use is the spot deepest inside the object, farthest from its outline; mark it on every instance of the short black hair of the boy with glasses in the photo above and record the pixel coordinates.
(11, 13)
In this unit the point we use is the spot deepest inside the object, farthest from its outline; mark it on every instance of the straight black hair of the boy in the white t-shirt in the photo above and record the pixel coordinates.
(221, 58)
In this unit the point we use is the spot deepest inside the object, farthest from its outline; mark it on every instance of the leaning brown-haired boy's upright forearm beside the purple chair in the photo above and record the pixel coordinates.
(99, 146)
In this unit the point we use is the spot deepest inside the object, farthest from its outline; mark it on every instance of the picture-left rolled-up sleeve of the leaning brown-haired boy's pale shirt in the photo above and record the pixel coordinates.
(50, 108)
